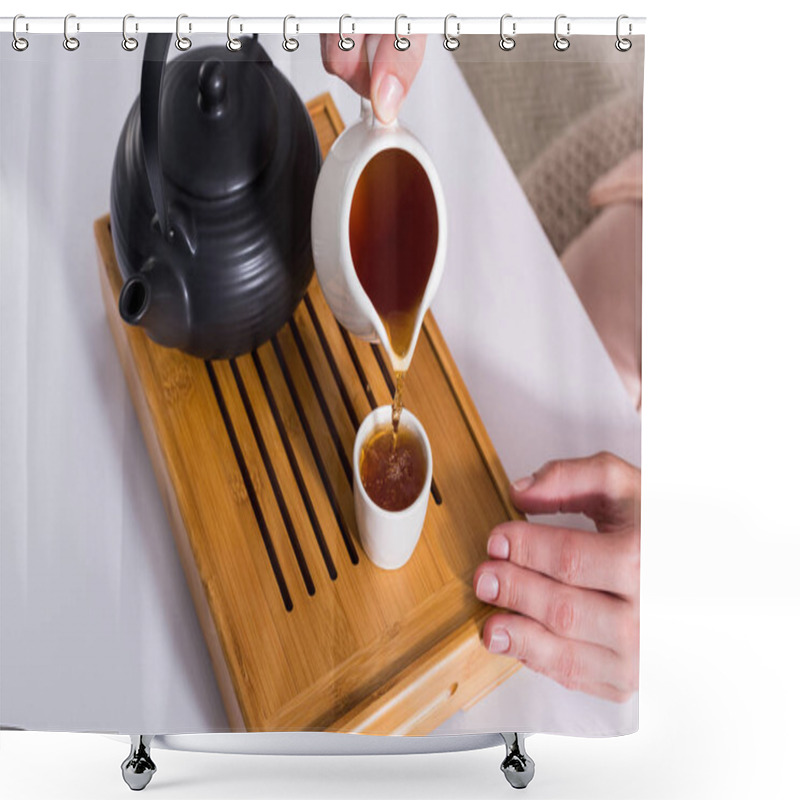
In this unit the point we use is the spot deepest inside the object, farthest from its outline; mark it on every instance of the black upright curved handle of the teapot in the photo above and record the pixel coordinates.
(155, 60)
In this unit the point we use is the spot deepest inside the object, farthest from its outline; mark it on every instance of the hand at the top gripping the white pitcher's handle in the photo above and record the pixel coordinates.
(393, 71)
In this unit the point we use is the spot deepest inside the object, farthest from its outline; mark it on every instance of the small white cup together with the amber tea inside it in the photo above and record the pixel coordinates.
(391, 484)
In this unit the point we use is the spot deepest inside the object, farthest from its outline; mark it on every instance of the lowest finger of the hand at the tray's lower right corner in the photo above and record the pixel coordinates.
(575, 665)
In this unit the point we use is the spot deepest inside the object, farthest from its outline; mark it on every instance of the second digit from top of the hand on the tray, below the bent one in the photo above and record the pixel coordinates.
(608, 563)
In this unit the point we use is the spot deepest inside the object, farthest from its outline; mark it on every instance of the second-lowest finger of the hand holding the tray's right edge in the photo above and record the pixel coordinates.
(580, 614)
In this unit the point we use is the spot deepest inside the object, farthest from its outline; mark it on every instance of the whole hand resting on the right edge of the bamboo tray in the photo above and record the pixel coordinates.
(574, 594)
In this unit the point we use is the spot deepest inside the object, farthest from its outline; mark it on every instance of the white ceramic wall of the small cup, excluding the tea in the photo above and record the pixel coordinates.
(389, 537)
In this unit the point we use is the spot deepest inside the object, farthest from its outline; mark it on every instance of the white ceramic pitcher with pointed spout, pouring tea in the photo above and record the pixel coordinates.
(330, 226)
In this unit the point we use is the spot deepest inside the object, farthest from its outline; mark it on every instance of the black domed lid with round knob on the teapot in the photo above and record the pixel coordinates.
(218, 120)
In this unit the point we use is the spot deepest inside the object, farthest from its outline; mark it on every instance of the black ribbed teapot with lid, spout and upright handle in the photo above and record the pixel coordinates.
(211, 197)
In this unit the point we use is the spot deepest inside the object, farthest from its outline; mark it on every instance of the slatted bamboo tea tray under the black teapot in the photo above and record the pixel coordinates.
(253, 458)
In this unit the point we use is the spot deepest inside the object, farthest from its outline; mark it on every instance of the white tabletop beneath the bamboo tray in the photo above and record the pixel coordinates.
(97, 627)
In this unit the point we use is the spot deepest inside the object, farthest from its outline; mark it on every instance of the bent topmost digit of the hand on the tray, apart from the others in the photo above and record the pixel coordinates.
(602, 486)
